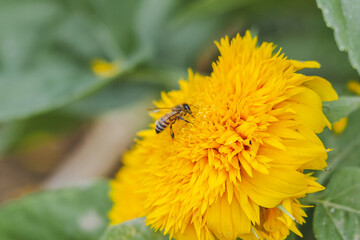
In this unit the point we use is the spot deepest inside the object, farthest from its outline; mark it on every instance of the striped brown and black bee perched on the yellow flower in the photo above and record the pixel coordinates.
(177, 112)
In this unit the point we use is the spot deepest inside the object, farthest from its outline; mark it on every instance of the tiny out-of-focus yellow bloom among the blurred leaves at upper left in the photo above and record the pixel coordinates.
(105, 69)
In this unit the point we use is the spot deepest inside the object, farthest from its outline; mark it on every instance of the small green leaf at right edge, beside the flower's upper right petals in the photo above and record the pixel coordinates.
(336, 110)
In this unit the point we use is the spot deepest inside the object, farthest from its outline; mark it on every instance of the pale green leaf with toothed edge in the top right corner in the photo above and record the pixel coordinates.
(343, 16)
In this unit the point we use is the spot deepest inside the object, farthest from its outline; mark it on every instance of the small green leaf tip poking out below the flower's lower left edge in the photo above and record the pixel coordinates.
(132, 230)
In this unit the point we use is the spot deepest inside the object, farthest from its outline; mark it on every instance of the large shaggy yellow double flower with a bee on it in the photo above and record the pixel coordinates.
(237, 169)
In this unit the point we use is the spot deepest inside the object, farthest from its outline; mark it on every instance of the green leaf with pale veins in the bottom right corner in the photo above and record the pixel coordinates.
(337, 212)
